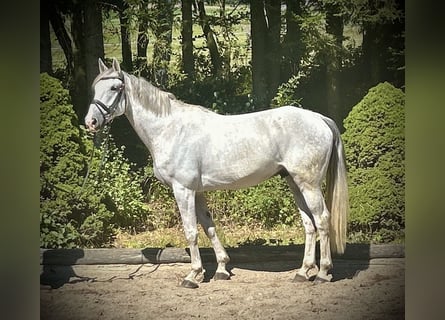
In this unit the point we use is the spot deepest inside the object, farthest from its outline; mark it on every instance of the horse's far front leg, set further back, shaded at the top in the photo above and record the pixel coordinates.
(205, 219)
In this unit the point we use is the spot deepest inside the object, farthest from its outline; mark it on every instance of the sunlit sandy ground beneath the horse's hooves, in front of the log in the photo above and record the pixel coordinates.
(373, 289)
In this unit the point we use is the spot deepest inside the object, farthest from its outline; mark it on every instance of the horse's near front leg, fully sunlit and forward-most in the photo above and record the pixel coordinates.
(185, 199)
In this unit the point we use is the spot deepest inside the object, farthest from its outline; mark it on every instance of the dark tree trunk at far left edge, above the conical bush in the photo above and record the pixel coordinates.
(46, 63)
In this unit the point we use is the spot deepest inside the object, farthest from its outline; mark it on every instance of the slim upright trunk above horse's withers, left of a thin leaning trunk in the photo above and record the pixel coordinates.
(187, 38)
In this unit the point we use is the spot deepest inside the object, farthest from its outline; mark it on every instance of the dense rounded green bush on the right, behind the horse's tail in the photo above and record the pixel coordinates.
(374, 145)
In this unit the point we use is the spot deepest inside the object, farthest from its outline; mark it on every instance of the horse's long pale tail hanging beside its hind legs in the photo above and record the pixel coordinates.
(337, 198)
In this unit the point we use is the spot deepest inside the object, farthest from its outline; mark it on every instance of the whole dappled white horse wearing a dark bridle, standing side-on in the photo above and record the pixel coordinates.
(195, 150)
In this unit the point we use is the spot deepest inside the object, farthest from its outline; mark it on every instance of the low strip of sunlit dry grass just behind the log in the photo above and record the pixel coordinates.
(230, 236)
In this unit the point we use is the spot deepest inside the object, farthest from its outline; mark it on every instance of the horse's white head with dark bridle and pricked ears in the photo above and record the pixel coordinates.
(109, 97)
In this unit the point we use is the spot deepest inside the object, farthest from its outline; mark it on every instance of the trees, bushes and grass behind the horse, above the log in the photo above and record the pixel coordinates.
(333, 57)
